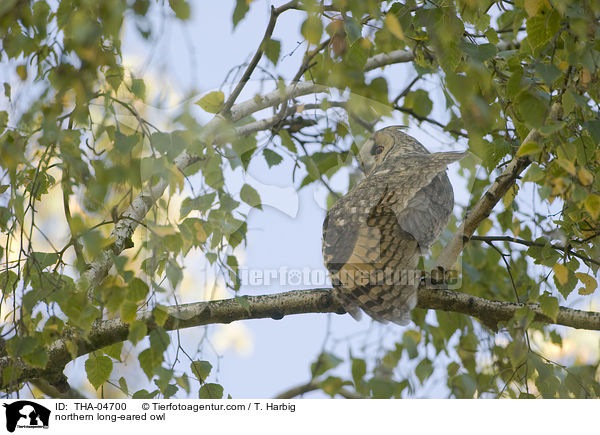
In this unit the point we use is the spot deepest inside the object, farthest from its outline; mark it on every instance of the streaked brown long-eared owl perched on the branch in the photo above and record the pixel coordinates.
(374, 235)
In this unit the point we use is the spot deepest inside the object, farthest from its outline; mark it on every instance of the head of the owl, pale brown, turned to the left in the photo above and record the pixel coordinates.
(389, 142)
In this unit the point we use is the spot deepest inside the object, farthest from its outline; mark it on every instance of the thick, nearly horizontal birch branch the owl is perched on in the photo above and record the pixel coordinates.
(276, 306)
